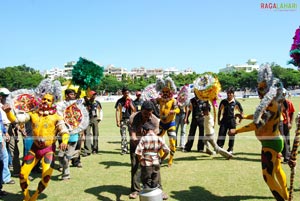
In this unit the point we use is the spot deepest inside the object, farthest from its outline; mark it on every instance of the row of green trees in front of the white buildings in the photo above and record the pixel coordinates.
(19, 77)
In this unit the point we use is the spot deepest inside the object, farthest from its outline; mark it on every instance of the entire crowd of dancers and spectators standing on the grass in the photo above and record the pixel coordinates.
(147, 121)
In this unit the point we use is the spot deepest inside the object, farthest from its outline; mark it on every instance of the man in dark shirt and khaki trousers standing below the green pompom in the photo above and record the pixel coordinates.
(92, 132)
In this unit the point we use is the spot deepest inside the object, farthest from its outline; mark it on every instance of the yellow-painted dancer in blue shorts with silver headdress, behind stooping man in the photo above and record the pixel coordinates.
(168, 110)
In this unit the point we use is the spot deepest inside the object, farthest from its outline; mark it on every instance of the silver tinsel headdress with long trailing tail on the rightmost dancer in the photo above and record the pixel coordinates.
(273, 89)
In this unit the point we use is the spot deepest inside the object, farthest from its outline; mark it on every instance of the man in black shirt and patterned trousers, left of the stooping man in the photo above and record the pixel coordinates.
(124, 108)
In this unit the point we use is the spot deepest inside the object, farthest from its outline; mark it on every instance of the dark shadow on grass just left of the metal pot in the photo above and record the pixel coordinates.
(116, 190)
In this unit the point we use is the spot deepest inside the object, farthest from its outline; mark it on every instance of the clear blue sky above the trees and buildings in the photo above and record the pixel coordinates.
(197, 34)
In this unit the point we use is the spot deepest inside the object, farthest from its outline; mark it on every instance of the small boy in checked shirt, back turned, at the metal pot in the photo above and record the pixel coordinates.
(147, 152)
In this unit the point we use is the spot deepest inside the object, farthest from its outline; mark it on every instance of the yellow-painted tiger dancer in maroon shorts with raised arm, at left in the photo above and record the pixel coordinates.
(46, 125)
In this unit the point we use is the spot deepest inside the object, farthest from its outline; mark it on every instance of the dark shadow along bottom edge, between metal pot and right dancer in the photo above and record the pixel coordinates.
(199, 193)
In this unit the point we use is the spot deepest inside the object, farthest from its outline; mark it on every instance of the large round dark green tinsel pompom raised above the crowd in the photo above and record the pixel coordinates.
(86, 74)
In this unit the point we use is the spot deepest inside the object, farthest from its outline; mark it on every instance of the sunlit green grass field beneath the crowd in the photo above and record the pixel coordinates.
(193, 176)
